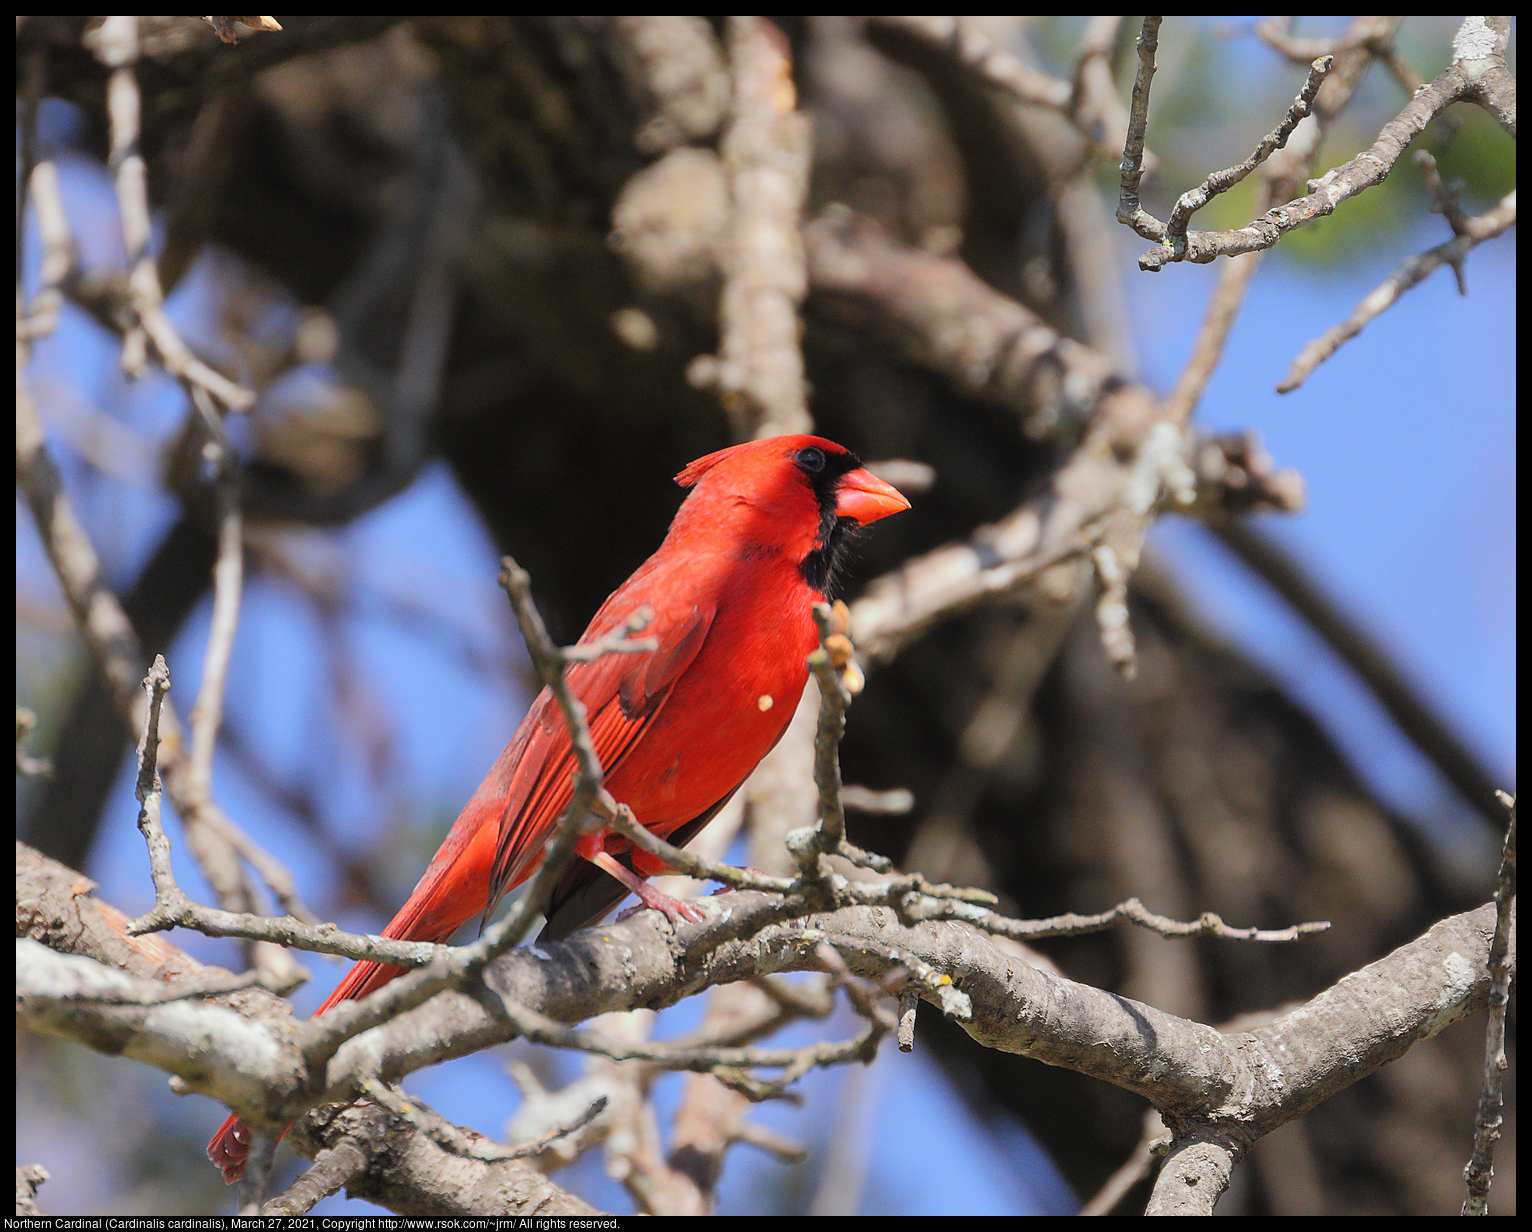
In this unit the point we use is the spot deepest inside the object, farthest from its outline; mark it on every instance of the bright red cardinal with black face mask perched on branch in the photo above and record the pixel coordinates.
(679, 729)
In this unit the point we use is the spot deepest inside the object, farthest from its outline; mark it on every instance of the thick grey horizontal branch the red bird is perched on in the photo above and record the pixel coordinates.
(1194, 1073)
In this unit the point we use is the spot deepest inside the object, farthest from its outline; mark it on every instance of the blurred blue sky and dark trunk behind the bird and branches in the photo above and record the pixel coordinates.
(466, 266)
